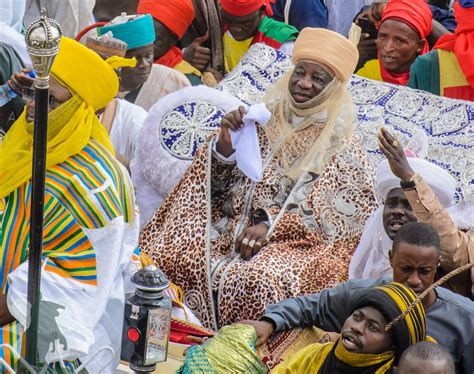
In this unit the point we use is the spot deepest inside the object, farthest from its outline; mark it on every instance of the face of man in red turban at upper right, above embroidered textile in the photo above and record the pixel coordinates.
(398, 46)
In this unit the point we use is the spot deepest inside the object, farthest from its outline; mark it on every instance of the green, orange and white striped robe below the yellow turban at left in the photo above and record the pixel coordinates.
(90, 236)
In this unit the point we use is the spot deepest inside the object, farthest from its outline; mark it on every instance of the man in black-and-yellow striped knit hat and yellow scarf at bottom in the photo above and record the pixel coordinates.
(365, 345)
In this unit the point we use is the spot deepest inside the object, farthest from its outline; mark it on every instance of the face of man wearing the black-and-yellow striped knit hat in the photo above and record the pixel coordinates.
(364, 332)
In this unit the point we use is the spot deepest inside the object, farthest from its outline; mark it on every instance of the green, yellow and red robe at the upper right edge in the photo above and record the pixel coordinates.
(439, 72)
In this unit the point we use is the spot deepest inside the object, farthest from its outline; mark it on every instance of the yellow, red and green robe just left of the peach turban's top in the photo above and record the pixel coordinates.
(270, 32)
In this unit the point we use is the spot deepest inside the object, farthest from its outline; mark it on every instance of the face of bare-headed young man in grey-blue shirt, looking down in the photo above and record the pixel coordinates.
(414, 266)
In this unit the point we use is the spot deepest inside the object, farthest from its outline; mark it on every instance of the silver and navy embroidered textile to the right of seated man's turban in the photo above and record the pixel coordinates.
(448, 125)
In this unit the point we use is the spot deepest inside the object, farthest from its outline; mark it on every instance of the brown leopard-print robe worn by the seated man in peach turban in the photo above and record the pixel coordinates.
(192, 235)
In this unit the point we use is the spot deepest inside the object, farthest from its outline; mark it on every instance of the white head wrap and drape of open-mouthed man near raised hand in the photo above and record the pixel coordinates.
(370, 260)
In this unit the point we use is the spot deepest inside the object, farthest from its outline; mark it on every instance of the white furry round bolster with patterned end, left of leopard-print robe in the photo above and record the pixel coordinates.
(155, 170)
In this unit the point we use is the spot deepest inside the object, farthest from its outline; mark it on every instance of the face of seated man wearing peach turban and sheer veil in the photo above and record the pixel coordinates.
(307, 81)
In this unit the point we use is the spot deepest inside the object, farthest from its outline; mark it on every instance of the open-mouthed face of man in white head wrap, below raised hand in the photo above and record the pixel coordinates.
(396, 212)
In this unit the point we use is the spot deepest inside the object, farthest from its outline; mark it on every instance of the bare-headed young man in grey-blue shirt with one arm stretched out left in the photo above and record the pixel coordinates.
(414, 258)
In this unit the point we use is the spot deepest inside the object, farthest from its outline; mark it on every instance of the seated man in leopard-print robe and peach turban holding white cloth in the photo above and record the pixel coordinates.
(274, 227)
